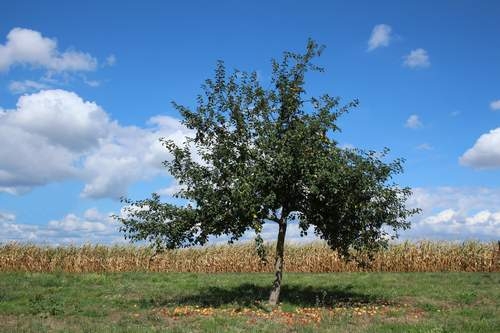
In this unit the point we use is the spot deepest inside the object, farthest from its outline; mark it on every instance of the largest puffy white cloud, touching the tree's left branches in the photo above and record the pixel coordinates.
(55, 135)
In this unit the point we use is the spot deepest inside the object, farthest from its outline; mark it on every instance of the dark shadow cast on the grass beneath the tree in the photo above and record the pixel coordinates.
(252, 295)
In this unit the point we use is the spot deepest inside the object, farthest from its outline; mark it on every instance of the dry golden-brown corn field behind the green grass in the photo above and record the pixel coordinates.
(313, 258)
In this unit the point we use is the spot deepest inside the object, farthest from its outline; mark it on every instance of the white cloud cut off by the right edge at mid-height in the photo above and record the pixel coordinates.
(485, 154)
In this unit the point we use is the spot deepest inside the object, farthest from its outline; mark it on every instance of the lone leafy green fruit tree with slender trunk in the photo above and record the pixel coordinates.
(268, 155)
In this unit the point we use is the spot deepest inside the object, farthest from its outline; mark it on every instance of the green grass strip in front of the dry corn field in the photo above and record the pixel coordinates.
(145, 302)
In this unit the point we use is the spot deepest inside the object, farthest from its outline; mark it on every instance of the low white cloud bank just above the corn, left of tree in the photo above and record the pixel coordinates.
(93, 227)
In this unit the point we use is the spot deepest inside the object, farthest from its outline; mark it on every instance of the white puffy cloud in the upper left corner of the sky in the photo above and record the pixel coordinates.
(29, 47)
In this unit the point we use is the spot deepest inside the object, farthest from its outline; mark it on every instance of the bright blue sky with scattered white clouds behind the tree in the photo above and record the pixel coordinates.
(85, 91)
